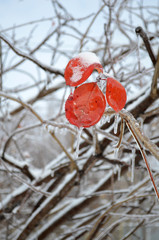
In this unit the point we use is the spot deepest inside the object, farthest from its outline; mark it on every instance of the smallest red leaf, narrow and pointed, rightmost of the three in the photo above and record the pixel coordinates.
(115, 94)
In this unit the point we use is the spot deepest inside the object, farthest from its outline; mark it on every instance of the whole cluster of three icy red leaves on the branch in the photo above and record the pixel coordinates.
(86, 105)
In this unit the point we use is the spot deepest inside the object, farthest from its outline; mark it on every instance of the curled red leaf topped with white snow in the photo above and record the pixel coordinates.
(81, 67)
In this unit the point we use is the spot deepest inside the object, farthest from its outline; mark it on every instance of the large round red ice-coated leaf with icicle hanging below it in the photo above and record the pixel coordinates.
(85, 107)
